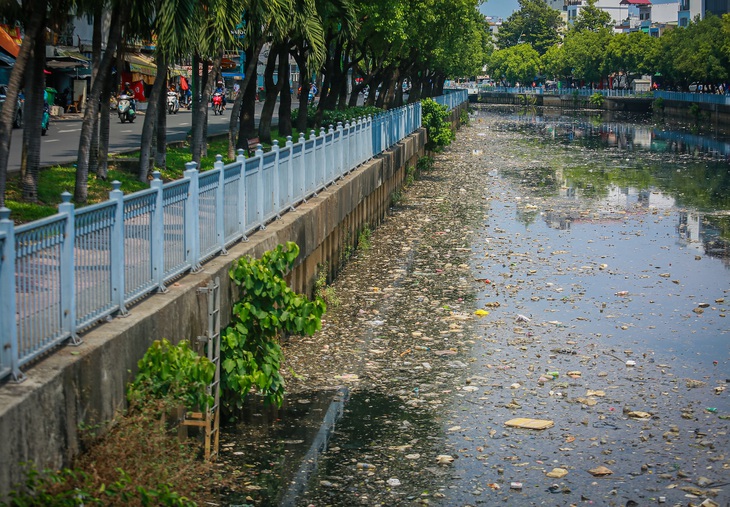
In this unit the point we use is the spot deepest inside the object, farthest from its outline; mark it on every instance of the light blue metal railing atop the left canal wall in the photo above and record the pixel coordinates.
(62, 274)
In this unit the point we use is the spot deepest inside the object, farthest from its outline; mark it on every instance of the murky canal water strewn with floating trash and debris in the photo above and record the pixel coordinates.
(542, 320)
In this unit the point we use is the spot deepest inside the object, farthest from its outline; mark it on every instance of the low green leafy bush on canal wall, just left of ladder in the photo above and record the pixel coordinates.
(174, 374)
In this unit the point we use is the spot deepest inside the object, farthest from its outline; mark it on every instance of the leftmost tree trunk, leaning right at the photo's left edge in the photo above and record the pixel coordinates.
(33, 29)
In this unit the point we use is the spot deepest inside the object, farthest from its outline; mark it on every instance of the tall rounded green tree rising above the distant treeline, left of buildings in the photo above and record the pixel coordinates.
(534, 23)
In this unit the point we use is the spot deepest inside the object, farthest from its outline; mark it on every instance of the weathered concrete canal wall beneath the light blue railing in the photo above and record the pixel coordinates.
(41, 419)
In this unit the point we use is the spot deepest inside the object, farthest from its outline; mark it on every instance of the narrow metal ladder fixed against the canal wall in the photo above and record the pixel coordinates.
(210, 419)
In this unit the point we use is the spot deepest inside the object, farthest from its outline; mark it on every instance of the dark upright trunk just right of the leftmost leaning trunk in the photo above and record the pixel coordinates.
(33, 110)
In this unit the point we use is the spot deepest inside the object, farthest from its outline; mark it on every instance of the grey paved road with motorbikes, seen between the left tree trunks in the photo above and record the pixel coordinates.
(61, 144)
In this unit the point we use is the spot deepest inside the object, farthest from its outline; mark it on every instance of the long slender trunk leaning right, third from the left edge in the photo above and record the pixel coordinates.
(118, 19)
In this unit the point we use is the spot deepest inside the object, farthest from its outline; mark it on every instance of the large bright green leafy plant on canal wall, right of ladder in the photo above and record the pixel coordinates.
(269, 308)
